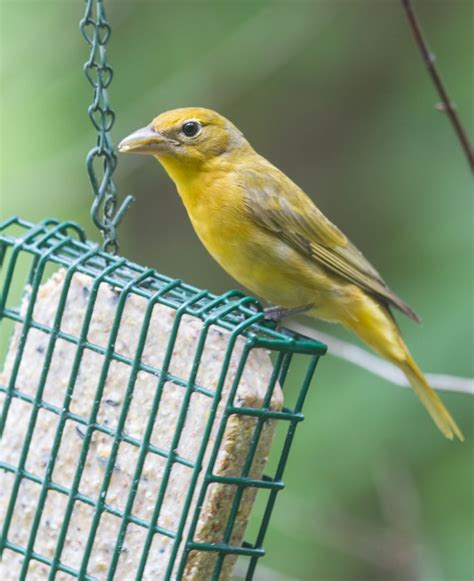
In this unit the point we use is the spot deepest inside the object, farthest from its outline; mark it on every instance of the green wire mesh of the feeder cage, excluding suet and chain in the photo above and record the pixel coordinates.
(34, 252)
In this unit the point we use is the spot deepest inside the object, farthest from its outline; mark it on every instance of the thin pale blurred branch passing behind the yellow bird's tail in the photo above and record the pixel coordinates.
(362, 358)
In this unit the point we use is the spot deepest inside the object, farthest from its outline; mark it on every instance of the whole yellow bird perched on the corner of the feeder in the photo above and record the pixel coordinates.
(268, 234)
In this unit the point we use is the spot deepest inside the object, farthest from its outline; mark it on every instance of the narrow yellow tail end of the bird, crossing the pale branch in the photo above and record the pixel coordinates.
(430, 399)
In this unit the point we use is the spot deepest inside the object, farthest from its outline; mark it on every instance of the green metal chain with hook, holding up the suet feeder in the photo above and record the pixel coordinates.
(105, 212)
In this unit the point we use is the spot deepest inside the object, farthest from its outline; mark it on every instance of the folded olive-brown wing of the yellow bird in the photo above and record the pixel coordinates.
(280, 206)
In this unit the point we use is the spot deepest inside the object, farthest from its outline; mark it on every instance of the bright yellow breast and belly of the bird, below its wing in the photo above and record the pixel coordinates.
(254, 256)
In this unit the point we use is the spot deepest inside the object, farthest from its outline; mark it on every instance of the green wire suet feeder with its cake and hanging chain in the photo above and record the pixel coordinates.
(137, 412)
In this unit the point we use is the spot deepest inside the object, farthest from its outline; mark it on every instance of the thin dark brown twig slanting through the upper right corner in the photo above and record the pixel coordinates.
(446, 103)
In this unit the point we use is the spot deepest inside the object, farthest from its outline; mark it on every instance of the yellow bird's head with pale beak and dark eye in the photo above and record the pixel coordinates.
(190, 136)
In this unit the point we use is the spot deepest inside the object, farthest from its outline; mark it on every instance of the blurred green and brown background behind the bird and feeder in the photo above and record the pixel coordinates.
(335, 94)
